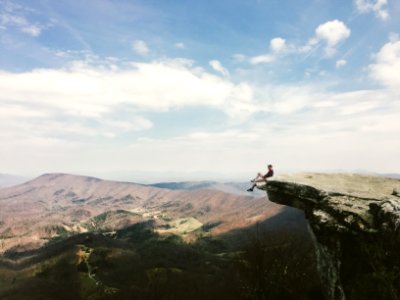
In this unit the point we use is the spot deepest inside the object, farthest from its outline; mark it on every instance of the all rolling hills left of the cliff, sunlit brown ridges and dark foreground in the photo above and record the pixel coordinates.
(75, 237)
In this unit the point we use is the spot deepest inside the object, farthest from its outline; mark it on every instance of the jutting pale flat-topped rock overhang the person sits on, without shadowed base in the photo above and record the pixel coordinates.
(340, 202)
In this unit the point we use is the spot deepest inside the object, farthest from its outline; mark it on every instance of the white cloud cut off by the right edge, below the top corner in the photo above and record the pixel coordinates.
(386, 68)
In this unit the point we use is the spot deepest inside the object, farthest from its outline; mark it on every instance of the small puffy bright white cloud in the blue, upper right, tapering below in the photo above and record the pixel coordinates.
(332, 33)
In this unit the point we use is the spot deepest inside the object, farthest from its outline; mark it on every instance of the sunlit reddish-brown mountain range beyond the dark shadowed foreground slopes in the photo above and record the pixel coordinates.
(60, 205)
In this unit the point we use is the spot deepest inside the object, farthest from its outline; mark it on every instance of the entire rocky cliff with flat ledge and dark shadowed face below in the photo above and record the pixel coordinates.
(354, 221)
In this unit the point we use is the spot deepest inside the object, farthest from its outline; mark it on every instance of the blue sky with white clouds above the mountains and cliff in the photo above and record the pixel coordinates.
(199, 89)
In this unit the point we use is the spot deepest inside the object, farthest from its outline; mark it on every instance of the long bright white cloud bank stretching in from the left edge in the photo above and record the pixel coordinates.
(87, 91)
